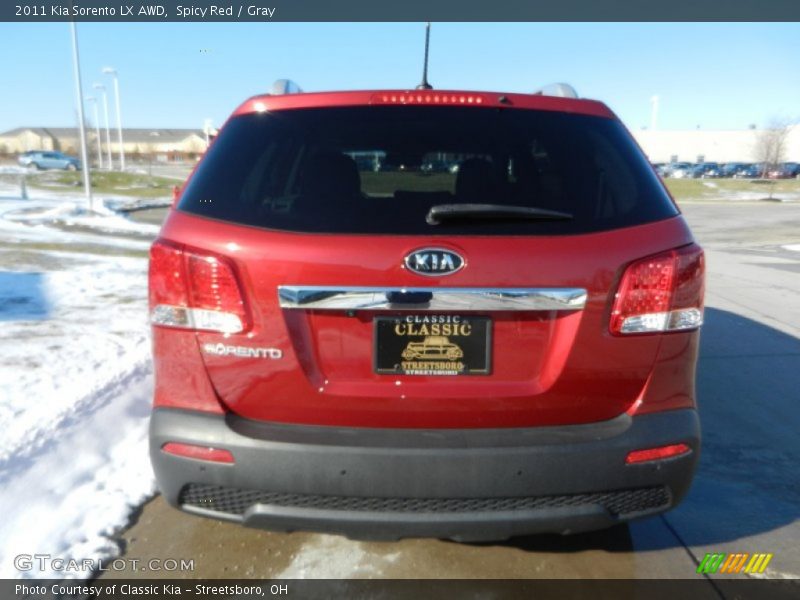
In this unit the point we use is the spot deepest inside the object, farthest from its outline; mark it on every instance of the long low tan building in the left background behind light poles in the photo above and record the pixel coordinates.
(146, 144)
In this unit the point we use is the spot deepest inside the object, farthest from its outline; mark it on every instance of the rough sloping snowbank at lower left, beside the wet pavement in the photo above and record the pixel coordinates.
(69, 496)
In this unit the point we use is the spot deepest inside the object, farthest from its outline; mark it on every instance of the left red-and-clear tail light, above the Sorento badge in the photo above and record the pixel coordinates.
(192, 289)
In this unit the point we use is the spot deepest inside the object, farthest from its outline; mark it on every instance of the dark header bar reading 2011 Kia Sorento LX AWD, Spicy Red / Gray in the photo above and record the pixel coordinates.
(199, 11)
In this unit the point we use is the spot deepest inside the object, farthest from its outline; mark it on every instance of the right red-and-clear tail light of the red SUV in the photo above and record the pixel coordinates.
(660, 293)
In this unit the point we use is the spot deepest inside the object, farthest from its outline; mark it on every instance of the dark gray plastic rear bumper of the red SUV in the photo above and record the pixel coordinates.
(459, 484)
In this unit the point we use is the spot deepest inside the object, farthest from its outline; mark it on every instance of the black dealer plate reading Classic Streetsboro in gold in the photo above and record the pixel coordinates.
(432, 345)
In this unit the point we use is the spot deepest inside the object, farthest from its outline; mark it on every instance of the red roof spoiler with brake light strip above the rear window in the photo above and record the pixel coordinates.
(268, 102)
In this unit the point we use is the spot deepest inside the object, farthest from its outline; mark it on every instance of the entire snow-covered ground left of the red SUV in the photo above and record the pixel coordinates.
(75, 378)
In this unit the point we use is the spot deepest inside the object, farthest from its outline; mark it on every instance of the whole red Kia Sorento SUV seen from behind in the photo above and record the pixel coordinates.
(468, 315)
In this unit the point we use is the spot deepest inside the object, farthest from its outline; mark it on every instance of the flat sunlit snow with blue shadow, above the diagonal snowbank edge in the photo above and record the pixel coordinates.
(77, 326)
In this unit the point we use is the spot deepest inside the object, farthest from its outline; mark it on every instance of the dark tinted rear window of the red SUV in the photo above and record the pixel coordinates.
(381, 169)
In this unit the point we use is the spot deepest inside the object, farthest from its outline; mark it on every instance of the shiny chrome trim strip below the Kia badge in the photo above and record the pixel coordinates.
(430, 299)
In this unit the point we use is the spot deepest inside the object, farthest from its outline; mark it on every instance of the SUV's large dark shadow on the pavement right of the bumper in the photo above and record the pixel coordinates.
(748, 389)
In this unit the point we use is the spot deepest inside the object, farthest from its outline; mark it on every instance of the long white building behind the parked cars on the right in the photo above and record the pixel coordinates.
(699, 145)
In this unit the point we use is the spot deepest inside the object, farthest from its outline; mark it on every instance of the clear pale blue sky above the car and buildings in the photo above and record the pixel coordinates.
(707, 75)
